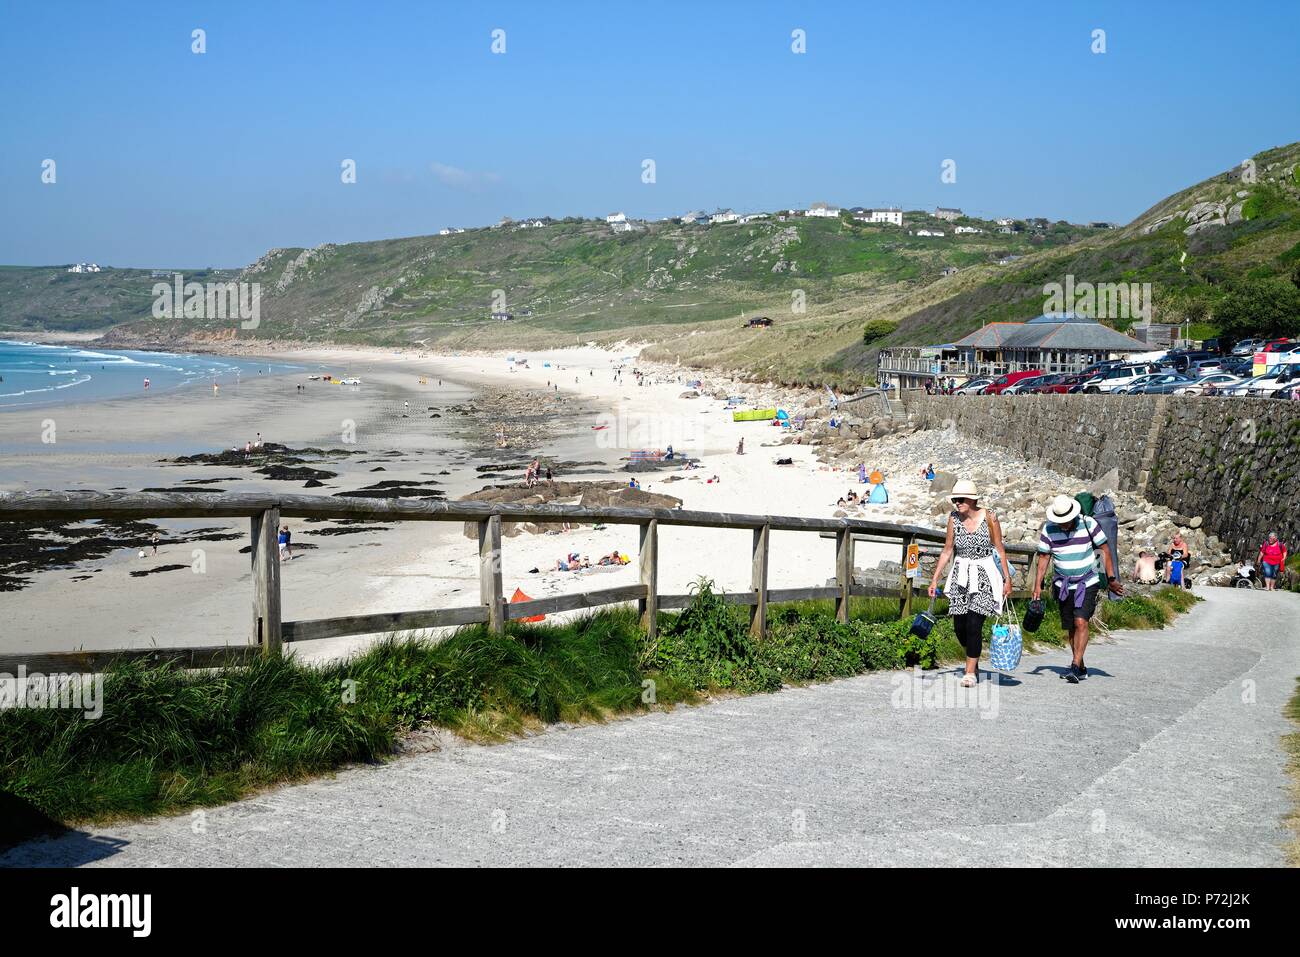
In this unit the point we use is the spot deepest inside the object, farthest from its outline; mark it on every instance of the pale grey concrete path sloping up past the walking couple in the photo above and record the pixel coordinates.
(1168, 755)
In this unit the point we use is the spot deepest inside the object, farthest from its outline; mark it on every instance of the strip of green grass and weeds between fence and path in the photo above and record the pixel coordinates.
(171, 739)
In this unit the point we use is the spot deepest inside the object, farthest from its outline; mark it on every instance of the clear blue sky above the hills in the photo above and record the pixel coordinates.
(170, 158)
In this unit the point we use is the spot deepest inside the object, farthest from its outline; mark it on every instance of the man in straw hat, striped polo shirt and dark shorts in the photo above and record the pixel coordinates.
(1074, 540)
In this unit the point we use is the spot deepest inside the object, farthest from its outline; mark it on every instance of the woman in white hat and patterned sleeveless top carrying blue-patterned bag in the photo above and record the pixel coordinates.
(977, 587)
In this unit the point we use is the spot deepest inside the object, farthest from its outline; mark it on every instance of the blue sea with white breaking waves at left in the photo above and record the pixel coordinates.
(40, 375)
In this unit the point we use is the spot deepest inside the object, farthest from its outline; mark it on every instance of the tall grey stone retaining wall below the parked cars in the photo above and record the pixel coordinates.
(1234, 462)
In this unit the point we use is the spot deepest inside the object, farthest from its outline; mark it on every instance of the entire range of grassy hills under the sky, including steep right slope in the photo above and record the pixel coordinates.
(684, 289)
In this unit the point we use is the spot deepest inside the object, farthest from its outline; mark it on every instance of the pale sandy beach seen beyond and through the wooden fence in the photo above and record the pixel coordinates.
(408, 430)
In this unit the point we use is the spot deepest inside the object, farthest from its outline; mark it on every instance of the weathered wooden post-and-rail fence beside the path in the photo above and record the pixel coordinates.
(268, 633)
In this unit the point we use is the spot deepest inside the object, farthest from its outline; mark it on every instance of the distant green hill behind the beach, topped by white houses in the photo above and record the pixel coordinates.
(574, 280)
